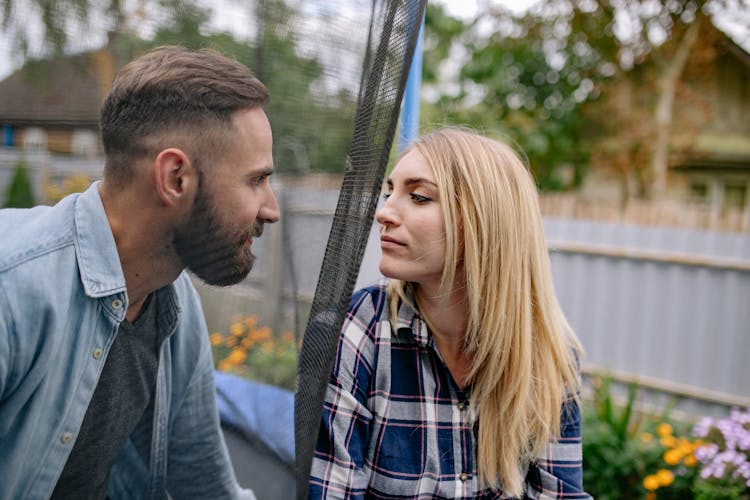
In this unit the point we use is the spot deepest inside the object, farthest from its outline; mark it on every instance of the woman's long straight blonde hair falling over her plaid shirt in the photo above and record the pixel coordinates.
(523, 352)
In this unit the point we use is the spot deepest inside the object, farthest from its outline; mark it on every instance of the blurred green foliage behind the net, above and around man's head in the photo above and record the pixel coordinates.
(312, 124)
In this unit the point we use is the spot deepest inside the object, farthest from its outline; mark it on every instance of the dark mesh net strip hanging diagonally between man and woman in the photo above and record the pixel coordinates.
(391, 40)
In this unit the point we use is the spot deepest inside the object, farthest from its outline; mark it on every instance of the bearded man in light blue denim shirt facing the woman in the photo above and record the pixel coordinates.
(106, 377)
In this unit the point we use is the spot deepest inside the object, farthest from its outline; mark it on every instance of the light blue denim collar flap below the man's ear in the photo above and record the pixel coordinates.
(96, 251)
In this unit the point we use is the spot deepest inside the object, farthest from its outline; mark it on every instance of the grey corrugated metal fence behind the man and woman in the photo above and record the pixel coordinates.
(668, 308)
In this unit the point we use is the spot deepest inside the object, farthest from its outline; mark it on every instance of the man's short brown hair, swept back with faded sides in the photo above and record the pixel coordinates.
(173, 97)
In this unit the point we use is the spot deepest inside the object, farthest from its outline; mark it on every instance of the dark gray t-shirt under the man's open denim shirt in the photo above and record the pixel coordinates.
(121, 398)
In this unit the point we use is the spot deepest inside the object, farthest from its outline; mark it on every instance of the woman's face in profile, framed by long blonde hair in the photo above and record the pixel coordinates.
(412, 235)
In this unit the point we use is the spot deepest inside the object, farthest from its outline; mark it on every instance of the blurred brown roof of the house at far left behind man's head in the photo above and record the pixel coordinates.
(62, 91)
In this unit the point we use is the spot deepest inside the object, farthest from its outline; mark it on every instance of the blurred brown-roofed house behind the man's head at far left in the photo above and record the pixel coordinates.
(49, 118)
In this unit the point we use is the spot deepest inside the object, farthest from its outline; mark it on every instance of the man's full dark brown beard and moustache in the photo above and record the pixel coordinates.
(209, 249)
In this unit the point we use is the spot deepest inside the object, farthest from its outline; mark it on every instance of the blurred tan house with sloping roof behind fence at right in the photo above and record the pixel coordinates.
(709, 153)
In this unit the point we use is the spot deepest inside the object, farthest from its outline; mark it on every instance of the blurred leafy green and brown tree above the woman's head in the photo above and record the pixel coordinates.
(577, 82)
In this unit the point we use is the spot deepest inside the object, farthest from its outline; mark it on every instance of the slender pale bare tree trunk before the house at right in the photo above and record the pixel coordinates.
(668, 82)
